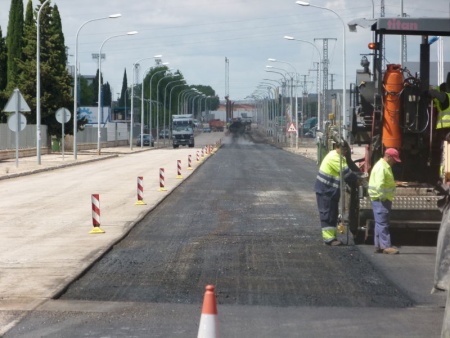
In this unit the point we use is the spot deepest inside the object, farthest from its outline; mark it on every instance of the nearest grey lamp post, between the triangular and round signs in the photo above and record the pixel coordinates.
(38, 84)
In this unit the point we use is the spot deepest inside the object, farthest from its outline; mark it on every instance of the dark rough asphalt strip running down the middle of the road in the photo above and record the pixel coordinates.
(247, 222)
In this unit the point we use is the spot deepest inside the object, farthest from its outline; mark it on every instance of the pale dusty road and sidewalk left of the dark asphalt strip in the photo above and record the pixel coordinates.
(46, 215)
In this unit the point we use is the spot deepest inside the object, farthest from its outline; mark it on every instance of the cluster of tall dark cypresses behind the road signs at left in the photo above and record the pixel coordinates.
(18, 63)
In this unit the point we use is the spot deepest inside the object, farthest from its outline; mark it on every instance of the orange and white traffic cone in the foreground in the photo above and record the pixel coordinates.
(209, 325)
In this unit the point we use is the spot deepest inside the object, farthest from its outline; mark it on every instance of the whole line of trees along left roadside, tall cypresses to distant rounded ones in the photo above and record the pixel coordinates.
(18, 70)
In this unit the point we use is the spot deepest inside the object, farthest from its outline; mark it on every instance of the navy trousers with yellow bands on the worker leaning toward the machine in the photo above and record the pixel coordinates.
(328, 206)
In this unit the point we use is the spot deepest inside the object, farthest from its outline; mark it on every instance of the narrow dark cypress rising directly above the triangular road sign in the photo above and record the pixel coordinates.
(14, 42)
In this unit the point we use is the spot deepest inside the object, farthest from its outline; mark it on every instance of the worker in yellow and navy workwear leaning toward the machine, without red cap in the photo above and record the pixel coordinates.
(327, 188)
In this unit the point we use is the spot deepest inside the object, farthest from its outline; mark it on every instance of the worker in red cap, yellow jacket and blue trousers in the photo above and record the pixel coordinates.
(382, 191)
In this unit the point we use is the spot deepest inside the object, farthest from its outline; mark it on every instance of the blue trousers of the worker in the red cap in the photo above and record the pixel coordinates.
(382, 236)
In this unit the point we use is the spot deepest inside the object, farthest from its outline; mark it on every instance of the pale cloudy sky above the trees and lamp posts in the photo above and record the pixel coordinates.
(196, 36)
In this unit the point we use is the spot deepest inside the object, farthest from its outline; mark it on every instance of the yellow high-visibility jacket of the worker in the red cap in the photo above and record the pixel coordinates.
(381, 182)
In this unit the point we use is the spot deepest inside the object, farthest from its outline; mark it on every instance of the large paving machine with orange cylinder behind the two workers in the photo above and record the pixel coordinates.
(390, 107)
